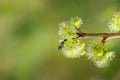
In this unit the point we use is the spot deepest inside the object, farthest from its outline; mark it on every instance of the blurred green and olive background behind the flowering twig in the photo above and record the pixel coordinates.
(29, 39)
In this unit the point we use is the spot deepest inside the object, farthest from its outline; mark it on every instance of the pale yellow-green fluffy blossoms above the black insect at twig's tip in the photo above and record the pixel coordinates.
(67, 29)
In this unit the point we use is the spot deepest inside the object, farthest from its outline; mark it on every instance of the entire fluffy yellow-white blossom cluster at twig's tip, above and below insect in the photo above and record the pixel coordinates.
(72, 48)
